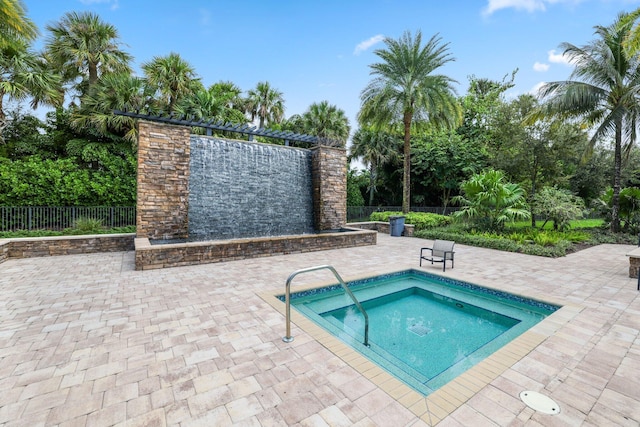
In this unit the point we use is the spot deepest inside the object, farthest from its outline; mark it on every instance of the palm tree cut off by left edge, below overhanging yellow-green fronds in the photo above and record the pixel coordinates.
(23, 74)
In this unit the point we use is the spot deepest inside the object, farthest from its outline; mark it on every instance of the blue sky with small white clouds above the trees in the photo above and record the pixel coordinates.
(321, 50)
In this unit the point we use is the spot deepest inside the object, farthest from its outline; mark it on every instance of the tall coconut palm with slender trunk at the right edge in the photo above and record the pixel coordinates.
(603, 91)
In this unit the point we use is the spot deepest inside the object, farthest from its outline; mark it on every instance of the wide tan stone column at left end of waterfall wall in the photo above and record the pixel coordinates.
(163, 181)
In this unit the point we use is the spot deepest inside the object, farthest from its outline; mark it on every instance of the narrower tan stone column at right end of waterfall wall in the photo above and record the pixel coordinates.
(329, 169)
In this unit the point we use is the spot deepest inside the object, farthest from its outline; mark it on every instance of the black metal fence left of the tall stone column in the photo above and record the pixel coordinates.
(14, 218)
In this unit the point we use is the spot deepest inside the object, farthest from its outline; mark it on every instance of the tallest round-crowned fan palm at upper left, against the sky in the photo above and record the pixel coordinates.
(82, 45)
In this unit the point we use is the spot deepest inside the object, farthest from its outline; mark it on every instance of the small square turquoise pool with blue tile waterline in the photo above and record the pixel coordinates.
(424, 329)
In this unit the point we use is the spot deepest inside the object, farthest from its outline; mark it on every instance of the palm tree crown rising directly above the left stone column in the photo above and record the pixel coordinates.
(173, 77)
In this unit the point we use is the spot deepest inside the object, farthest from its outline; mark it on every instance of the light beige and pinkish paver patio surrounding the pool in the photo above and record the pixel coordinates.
(87, 341)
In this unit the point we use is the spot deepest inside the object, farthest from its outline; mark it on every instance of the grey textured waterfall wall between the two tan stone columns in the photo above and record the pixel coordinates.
(242, 189)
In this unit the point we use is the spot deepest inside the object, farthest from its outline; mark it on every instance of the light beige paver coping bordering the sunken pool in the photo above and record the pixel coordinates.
(438, 405)
